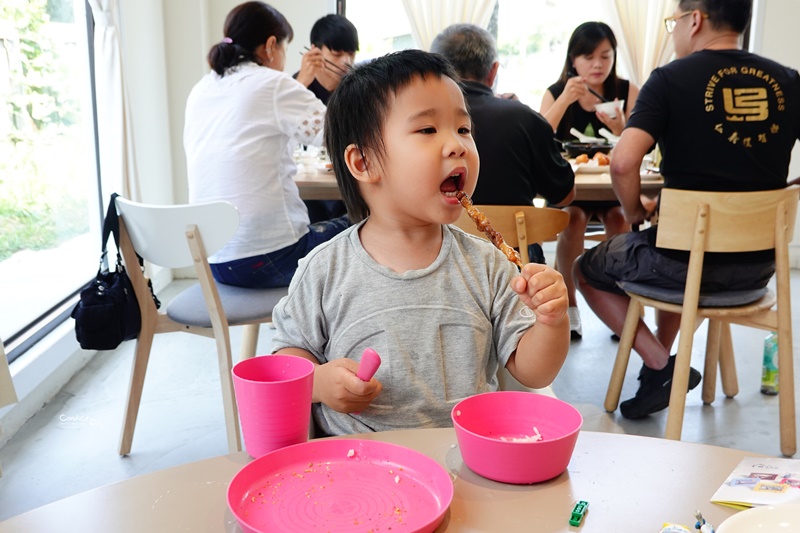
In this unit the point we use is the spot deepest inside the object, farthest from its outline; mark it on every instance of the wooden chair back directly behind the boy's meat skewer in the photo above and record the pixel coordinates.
(520, 225)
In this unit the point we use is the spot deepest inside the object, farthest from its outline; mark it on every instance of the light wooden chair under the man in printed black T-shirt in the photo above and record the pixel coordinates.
(699, 221)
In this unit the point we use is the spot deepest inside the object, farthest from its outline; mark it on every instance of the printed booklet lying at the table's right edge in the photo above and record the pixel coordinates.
(760, 481)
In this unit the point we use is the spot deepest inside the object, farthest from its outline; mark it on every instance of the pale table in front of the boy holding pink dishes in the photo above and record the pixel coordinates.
(633, 484)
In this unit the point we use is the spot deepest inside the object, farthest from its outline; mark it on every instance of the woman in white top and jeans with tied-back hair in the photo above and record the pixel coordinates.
(243, 120)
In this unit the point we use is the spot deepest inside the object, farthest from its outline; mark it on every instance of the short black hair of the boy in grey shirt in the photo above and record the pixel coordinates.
(358, 109)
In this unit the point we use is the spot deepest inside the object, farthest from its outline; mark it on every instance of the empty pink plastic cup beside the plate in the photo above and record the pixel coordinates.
(273, 394)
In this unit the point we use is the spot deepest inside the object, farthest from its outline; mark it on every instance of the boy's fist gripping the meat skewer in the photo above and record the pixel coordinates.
(542, 289)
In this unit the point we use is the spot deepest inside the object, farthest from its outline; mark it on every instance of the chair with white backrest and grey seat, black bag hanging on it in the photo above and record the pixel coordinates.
(176, 237)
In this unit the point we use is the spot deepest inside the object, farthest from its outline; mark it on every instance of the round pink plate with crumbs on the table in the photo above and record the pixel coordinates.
(341, 485)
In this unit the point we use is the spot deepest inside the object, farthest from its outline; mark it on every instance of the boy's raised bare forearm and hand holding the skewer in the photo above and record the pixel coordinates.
(542, 349)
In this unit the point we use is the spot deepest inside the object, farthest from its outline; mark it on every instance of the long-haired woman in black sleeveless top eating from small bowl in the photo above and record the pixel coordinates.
(589, 78)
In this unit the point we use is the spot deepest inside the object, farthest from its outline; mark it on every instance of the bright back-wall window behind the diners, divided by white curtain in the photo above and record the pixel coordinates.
(531, 35)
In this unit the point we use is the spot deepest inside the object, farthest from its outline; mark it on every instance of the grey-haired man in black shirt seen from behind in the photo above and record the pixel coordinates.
(519, 157)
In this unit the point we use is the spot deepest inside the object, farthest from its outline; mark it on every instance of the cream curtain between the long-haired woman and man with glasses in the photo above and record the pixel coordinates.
(642, 42)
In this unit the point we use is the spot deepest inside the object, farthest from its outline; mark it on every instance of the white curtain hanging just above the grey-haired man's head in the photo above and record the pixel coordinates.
(429, 17)
